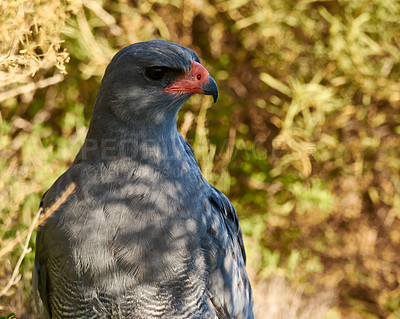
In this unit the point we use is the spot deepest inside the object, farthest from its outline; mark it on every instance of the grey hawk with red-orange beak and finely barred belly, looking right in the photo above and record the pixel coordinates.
(143, 234)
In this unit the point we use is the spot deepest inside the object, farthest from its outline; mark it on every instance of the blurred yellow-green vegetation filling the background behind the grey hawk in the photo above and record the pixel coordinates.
(305, 138)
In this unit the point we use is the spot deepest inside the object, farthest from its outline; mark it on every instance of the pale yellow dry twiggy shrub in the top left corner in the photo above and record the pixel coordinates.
(30, 45)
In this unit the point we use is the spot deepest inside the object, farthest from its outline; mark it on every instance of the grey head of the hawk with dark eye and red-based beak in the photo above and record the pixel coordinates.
(149, 81)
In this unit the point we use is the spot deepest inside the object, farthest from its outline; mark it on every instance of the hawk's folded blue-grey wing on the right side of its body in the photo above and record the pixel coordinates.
(229, 287)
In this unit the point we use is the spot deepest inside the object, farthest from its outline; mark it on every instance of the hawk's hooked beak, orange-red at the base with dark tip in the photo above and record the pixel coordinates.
(197, 80)
